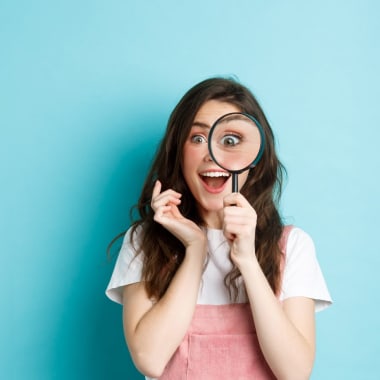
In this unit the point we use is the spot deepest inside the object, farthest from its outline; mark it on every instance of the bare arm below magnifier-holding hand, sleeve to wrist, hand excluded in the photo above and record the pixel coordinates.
(286, 332)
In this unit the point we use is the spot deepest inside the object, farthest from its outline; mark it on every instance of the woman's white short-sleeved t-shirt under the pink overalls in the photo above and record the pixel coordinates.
(302, 274)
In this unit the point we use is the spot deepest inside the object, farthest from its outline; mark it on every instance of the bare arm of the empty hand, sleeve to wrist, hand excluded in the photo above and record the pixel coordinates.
(154, 331)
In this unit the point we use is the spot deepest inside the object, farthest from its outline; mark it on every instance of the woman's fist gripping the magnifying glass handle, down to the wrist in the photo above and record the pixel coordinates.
(239, 227)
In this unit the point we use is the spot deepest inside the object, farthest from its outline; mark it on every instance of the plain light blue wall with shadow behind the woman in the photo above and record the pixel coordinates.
(86, 88)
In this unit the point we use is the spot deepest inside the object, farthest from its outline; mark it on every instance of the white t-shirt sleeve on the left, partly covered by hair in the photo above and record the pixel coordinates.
(127, 270)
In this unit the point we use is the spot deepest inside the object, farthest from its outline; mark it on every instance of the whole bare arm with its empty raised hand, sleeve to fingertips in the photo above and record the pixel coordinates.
(153, 331)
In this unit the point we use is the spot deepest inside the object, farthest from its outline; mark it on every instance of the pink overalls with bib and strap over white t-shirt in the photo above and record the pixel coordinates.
(221, 343)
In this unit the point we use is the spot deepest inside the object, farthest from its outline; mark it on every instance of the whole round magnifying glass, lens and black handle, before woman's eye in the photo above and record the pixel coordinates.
(236, 143)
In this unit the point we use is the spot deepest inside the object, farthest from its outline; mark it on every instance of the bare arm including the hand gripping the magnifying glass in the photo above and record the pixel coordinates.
(286, 332)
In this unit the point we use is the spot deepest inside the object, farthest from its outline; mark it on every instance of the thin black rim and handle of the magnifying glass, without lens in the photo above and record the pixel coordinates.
(255, 159)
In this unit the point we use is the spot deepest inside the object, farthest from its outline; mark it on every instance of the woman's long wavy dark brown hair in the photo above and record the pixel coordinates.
(162, 252)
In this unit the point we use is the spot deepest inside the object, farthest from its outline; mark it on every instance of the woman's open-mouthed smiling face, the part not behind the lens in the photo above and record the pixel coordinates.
(208, 183)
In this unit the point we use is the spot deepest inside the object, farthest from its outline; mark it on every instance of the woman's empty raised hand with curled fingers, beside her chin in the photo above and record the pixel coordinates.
(165, 206)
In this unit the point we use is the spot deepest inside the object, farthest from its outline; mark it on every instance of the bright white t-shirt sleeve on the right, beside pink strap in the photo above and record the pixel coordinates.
(302, 273)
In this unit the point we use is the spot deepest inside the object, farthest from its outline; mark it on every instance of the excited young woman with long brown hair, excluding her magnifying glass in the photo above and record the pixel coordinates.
(213, 285)
